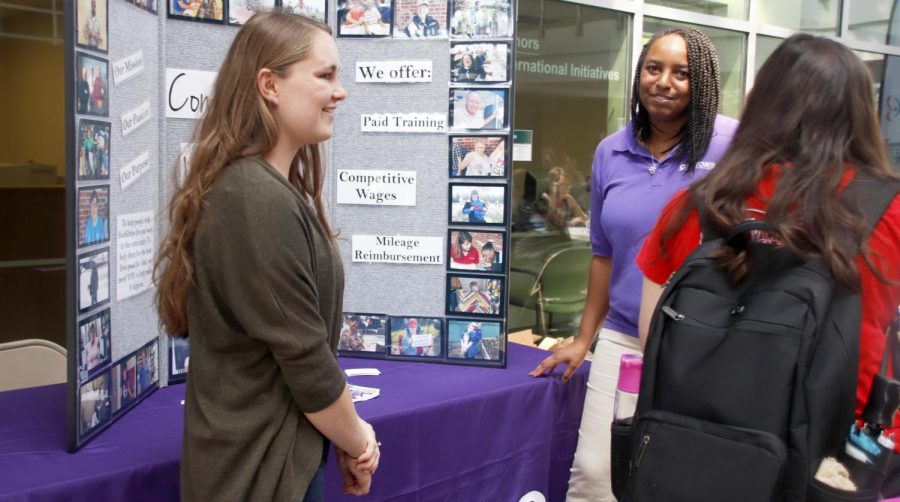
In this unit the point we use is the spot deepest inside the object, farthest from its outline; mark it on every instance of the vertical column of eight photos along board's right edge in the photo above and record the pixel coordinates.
(480, 161)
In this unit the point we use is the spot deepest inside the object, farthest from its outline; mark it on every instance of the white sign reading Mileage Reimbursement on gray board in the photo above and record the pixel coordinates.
(398, 249)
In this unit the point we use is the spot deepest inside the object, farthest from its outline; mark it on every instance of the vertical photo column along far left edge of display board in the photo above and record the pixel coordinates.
(92, 140)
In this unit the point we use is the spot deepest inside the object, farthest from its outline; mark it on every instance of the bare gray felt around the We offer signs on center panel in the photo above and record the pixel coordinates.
(393, 288)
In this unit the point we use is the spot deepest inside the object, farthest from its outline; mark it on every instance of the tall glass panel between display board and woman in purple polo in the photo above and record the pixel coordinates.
(572, 85)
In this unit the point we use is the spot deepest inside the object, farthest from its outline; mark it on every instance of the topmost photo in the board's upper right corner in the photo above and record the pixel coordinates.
(481, 19)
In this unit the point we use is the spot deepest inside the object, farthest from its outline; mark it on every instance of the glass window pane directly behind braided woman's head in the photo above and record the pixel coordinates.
(732, 49)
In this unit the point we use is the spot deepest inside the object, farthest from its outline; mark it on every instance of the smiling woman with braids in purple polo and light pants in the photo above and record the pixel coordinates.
(674, 137)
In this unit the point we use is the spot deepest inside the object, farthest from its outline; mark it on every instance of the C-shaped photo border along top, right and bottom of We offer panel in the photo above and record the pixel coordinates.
(481, 36)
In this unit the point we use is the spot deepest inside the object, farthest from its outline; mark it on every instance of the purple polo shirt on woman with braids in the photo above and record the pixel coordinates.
(625, 203)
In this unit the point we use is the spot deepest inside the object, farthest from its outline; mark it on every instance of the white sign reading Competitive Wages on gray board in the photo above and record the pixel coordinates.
(376, 187)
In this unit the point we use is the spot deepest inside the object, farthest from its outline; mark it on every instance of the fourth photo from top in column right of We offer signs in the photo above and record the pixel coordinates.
(478, 157)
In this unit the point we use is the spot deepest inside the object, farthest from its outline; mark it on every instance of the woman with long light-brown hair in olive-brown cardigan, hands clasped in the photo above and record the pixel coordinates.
(250, 271)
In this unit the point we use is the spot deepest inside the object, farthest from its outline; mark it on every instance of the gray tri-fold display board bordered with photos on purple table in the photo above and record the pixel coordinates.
(418, 183)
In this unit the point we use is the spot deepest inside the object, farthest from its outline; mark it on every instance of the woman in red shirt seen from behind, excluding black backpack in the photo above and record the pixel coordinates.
(808, 130)
